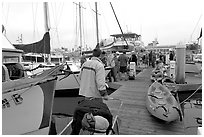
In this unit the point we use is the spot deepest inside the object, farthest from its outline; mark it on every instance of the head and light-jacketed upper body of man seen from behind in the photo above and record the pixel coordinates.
(92, 78)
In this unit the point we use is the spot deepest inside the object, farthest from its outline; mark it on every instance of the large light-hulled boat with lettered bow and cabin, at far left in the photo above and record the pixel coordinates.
(27, 102)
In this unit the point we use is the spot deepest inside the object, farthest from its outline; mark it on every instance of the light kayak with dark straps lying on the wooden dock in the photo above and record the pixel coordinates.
(161, 103)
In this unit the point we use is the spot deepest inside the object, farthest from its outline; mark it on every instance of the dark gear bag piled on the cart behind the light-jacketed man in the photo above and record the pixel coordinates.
(90, 107)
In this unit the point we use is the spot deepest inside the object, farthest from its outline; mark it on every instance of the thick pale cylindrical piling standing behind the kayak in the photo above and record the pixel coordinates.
(180, 64)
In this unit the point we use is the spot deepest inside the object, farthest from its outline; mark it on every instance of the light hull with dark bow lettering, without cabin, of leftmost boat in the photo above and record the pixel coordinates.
(27, 104)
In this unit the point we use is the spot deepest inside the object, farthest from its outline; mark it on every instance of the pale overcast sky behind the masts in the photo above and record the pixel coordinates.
(170, 21)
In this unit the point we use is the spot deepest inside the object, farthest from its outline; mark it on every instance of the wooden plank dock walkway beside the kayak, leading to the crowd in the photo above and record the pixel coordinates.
(135, 119)
